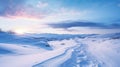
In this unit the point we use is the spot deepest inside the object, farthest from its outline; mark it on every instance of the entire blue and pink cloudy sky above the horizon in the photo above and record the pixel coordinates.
(60, 16)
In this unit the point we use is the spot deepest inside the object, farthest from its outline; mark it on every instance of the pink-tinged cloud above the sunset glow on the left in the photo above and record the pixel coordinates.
(24, 12)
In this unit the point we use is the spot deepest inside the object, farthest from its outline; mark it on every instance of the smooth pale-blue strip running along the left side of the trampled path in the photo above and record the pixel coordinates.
(58, 60)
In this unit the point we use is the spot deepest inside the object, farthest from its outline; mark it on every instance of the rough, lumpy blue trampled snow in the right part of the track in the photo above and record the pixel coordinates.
(81, 58)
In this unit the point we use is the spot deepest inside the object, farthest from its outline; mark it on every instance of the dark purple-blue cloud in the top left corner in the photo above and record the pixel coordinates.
(10, 6)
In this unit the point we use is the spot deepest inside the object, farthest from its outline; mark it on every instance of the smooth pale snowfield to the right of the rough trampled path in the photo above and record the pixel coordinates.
(105, 50)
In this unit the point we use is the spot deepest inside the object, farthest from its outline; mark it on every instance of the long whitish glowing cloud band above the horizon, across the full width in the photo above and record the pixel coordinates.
(35, 26)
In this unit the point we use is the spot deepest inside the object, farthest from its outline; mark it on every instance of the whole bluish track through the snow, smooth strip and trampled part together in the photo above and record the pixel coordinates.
(72, 57)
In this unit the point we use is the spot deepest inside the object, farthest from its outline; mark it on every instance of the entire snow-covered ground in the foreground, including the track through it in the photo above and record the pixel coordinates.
(91, 51)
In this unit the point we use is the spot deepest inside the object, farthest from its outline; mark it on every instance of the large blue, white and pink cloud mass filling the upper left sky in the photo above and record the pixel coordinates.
(39, 9)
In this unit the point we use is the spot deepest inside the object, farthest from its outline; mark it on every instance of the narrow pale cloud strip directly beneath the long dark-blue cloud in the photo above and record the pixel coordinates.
(86, 30)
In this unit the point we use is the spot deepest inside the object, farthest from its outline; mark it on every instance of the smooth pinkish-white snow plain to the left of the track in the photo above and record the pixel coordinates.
(27, 56)
